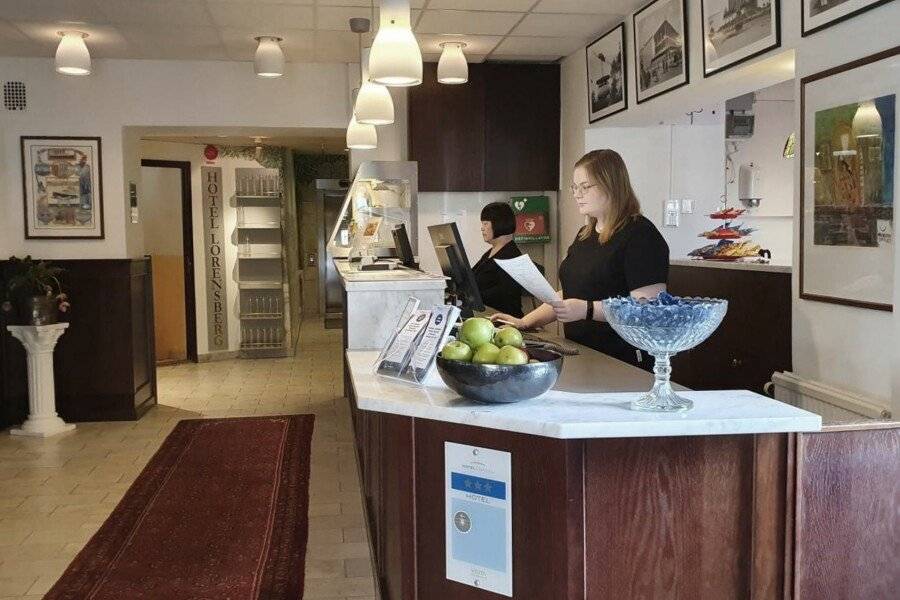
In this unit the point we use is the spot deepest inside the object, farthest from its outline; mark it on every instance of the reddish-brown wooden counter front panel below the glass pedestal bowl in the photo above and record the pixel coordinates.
(669, 517)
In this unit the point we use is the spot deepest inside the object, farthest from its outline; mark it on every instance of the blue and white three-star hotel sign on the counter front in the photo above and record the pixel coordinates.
(478, 495)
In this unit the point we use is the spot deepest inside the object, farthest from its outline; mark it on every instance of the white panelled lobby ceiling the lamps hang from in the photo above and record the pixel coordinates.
(313, 30)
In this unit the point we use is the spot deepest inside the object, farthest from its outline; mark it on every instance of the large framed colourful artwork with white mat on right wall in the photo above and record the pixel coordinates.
(848, 141)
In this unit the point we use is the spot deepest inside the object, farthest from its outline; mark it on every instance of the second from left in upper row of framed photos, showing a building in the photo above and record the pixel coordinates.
(660, 48)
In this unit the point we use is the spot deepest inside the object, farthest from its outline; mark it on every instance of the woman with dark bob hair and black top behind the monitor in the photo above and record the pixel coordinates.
(498, 289)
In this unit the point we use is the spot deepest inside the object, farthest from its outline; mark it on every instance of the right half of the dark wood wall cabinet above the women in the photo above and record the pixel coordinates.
(522, 120)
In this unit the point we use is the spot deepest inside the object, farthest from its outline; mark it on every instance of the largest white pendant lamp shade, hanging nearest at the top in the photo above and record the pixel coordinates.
(396, 60)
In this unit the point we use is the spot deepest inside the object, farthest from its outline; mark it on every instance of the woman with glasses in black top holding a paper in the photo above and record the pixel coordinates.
(618, 252)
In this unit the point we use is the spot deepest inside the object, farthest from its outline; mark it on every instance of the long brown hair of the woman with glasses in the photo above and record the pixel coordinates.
(607, 170)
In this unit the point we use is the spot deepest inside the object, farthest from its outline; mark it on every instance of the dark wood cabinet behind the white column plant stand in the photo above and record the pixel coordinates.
(105, 363)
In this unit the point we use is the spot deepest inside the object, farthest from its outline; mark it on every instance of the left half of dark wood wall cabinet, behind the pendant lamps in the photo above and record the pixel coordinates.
(446, 132)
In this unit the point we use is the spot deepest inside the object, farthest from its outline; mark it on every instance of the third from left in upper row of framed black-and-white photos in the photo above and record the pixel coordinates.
(737, 30)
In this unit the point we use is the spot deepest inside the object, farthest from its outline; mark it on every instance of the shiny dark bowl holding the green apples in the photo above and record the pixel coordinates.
(498, 384)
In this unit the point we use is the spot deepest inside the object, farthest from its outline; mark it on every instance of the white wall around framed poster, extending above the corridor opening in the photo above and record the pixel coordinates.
(121, 93)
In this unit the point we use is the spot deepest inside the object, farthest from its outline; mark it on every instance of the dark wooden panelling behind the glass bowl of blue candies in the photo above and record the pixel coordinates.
(752, 342)
